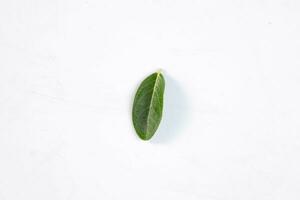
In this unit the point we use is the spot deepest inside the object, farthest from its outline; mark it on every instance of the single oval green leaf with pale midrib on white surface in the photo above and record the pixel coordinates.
(148, 105)
